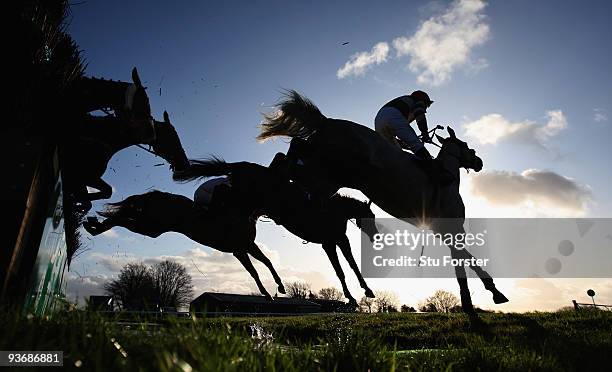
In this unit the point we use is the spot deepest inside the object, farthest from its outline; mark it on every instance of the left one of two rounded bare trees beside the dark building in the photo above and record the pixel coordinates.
(133, 288)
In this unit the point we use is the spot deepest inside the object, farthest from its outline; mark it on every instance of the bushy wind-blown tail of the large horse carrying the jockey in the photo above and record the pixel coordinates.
(296, 116)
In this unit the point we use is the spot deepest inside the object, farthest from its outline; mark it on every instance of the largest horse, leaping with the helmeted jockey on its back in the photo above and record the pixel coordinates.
(340, 153)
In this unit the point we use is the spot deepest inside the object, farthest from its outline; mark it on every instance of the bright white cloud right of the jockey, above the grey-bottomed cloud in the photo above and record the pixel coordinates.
(494, 128)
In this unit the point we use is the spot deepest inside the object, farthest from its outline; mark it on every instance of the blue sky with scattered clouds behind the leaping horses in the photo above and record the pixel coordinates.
(527, 84)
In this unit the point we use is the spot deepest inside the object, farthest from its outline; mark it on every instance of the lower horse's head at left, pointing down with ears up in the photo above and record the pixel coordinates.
(167, 144)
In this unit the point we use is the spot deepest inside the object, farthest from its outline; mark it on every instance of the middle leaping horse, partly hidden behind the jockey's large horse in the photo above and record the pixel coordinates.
(269, 191)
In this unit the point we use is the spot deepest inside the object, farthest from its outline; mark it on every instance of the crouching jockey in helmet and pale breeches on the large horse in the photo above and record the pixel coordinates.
(394, 118)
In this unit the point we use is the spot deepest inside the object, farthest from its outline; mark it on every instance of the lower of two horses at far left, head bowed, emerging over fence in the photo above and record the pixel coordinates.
(86, 158)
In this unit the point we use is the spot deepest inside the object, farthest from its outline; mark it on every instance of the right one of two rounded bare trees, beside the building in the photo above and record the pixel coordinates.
(172, 284)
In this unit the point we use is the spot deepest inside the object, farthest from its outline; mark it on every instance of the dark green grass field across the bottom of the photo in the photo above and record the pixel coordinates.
(378, 342)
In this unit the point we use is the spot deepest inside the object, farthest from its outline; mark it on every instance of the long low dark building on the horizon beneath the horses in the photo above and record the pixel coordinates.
(236, 303)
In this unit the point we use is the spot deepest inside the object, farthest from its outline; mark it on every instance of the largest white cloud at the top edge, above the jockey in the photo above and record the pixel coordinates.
(445, 42)
